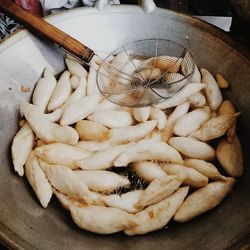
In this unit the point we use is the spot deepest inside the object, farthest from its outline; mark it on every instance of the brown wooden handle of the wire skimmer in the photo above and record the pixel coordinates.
(40, 27)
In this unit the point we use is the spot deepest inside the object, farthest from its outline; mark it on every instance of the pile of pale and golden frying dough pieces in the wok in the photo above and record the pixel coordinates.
(186, 149)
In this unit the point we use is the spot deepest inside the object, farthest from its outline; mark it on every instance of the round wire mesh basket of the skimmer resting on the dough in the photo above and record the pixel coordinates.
(145, 72)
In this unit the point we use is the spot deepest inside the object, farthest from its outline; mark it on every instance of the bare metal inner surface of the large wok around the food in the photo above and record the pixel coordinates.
(24, 224)
